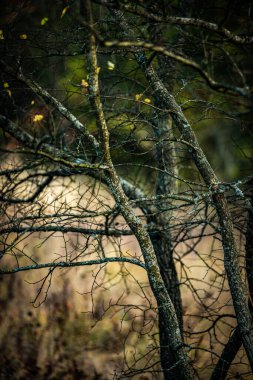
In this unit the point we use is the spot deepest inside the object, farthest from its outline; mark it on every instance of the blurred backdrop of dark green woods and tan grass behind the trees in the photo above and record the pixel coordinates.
(97, 322)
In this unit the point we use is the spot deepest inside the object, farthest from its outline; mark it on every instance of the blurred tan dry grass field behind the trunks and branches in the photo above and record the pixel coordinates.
(92, 323)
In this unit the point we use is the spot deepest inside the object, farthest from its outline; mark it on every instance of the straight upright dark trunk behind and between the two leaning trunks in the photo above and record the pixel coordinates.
(165, 184)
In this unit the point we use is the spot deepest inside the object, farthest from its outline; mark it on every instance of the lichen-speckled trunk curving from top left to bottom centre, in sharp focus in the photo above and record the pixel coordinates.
(176, 363)
